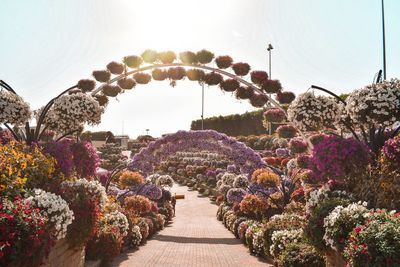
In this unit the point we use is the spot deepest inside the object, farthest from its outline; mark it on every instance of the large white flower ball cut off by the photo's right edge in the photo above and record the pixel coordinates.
(376, 104)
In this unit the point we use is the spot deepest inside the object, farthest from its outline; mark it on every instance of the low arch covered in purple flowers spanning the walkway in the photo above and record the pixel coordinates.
(241, 155)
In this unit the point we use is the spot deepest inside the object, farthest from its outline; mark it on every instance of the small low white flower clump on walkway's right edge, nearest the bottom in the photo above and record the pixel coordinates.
(280, 239)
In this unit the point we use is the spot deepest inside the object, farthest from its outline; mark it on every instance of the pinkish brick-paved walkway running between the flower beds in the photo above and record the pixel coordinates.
(194, 239)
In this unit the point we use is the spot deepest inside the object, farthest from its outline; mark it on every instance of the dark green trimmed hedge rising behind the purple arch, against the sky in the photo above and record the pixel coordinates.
(249, 123)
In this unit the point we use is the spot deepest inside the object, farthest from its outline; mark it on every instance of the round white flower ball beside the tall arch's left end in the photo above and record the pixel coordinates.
(71, 112)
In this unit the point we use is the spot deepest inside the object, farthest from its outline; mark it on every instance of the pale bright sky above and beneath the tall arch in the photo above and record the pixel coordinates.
(47, 46)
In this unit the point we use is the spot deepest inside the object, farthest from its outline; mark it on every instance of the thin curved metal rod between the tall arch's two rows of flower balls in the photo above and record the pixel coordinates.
(154, 66)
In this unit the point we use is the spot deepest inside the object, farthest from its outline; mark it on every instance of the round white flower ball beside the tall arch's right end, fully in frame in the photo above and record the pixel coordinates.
(309, 112)
